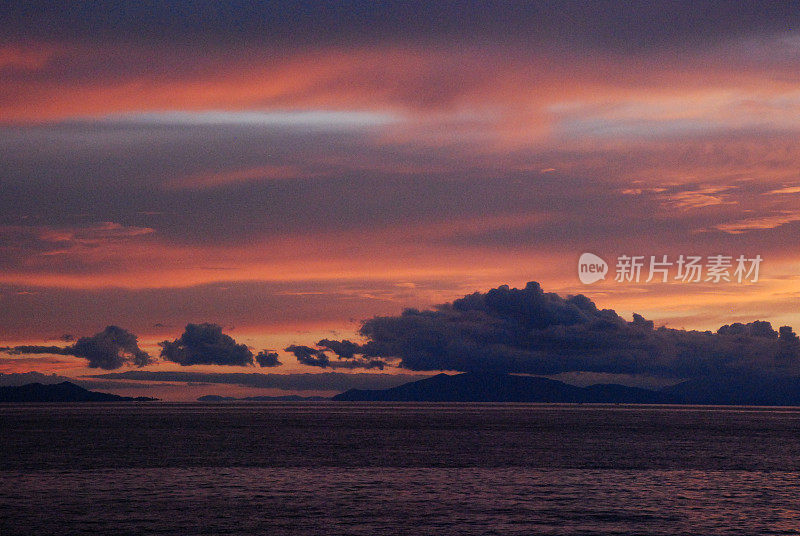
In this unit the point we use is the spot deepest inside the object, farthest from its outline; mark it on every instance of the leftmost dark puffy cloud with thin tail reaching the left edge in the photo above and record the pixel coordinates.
(110, 349)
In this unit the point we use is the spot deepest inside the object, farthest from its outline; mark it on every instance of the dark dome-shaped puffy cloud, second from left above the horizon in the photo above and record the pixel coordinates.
(205, 344)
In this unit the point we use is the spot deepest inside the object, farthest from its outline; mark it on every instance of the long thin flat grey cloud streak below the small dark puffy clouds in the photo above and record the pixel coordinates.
(322, 381)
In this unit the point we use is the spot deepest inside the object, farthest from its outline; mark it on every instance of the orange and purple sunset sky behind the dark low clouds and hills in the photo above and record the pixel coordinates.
(286, 171)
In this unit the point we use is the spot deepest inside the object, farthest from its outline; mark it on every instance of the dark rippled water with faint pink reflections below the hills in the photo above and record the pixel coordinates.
(417, 469)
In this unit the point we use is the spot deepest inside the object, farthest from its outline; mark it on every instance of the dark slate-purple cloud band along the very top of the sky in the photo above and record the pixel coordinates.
(585, 24)
